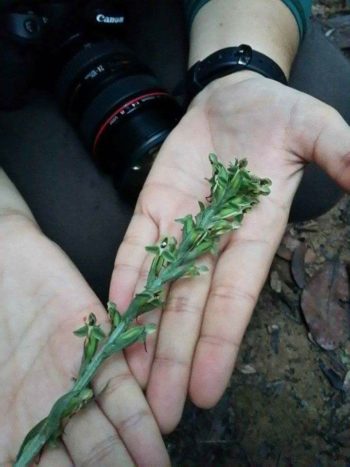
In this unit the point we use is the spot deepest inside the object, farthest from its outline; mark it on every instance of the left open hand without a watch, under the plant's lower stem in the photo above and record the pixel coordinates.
(43, 299)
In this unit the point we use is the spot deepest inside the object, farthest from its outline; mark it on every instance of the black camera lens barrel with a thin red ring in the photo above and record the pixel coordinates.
(122, 113)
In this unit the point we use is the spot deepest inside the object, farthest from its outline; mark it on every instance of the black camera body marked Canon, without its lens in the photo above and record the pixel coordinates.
(37, 38)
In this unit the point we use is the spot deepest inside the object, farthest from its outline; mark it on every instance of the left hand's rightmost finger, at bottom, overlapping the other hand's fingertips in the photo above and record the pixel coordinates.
(121, 399)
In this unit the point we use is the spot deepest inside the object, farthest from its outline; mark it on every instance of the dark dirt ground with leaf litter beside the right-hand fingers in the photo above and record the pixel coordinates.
(288, 403)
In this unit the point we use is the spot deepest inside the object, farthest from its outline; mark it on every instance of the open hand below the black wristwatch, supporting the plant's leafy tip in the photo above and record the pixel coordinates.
(278, 130)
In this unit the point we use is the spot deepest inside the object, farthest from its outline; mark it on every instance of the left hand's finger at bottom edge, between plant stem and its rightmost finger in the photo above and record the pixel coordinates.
(92, 440)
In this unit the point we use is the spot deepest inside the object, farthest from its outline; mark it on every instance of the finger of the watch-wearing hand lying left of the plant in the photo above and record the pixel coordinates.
(131, 255)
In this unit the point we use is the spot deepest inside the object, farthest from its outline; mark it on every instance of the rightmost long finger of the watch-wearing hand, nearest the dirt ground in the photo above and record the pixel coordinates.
(239, 276)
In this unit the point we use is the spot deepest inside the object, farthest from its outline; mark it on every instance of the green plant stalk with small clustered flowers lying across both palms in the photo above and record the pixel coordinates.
(233, 191)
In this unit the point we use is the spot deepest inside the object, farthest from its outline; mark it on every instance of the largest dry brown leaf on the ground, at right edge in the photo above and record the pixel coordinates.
(325, 303)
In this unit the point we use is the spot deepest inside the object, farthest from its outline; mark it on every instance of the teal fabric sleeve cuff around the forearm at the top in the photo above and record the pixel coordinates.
(301, 9)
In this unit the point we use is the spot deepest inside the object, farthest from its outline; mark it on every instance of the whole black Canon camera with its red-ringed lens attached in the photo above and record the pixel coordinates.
(76, 49)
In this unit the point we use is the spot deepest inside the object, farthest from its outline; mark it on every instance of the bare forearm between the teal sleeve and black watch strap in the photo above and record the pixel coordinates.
(268, 26)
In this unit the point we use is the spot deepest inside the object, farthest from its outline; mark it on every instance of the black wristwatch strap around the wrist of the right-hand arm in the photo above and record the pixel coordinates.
(227, 61)
